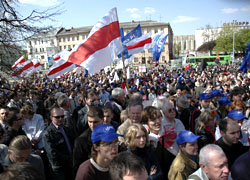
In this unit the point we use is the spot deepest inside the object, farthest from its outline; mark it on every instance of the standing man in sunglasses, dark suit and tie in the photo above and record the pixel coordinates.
(58, 142)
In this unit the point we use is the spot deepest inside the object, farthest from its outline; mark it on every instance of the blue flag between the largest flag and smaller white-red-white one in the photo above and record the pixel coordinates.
(135, 33)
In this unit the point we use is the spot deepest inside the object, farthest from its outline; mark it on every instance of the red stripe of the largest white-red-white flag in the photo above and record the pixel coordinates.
(98, 40)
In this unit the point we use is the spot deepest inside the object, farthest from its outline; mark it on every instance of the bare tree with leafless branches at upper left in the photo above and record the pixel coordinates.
(15, 29)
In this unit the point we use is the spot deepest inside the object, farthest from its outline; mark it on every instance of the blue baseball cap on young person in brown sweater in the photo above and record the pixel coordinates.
(104, 132)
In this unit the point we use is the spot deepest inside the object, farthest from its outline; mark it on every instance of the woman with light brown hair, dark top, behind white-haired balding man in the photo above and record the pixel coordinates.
(206, 128)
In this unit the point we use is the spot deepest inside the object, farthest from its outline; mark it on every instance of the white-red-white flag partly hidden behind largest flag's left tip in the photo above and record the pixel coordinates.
(61, 66)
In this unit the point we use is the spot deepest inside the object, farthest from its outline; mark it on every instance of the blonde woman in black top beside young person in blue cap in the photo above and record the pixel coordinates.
(137, 141)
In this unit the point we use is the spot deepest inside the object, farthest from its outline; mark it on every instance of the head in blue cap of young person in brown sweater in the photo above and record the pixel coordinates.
(105, 143)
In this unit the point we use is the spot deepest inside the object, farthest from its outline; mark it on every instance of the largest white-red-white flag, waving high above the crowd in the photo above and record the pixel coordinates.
(102, 45)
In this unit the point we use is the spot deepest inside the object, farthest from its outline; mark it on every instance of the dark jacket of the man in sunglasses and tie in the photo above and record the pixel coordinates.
(56, 147)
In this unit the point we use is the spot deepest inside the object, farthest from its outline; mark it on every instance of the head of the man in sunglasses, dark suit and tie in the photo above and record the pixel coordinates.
(57, 116)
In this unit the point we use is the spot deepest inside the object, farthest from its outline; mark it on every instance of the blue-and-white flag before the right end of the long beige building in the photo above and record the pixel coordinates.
(158, 47)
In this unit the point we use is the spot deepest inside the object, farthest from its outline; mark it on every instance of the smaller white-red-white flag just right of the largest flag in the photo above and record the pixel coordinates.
(139, 44)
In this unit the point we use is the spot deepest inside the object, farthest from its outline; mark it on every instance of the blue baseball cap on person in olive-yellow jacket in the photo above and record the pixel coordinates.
(186, 137)
